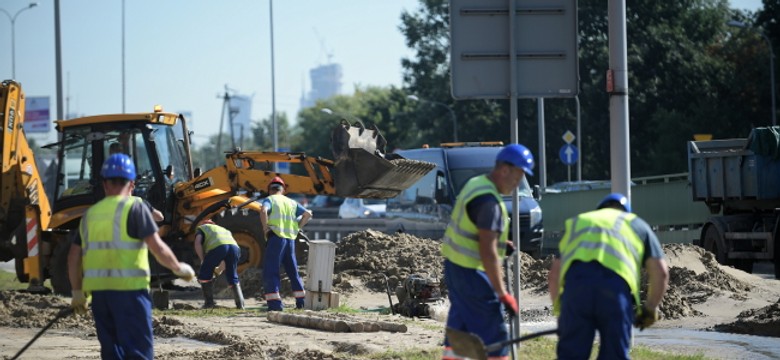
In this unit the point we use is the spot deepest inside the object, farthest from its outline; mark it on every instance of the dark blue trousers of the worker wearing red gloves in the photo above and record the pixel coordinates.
(474, 306)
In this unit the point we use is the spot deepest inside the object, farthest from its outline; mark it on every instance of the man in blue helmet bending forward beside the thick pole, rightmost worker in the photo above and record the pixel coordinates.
(595, 283)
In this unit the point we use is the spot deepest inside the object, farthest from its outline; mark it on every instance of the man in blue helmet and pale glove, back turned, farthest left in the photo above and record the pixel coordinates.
(109, 260)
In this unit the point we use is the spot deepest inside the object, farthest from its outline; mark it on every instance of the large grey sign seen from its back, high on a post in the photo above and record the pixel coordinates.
(545, 38)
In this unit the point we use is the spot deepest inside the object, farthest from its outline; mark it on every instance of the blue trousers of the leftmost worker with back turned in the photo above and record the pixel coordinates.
(123, 320)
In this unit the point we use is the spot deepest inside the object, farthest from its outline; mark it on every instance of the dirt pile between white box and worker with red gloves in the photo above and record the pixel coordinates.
(366, 255)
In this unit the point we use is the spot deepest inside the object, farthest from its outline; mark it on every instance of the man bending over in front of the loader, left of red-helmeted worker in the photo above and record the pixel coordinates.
(220, 248)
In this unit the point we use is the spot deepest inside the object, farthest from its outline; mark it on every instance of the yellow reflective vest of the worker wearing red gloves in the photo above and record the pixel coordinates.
(461, 239)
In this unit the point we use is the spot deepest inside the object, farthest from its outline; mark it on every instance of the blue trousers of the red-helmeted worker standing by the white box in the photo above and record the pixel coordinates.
(280, 252)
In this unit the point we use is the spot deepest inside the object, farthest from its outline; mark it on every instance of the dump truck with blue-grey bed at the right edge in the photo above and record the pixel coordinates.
(738, 181)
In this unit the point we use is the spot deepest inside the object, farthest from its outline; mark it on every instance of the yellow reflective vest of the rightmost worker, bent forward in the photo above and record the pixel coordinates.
(604, 236)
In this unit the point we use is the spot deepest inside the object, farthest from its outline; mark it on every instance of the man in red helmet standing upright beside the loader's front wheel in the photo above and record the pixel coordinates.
(279, 216)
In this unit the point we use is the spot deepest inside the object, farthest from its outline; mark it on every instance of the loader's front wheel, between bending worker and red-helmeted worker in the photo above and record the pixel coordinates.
(247, 233)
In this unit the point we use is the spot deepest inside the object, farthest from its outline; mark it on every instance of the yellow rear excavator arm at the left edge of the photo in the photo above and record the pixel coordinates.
(24, 205)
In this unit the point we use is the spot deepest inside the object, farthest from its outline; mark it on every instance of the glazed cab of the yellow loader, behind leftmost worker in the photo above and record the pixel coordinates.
(156, 144)
